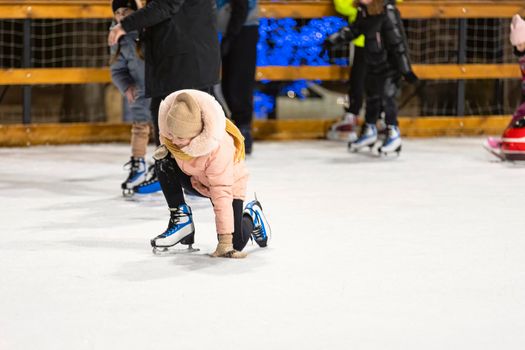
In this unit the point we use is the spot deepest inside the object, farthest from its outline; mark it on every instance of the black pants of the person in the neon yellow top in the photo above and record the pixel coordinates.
(356, 92)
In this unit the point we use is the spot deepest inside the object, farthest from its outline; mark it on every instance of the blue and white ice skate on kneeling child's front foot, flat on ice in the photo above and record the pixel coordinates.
(180, 230)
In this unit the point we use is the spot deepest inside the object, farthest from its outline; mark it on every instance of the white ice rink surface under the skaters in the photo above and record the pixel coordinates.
(422, 252)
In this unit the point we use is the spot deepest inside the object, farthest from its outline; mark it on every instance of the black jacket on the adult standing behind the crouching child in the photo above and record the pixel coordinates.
(181, 44)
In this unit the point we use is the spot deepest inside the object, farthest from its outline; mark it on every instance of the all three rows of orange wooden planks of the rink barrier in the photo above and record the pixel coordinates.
(21, 135)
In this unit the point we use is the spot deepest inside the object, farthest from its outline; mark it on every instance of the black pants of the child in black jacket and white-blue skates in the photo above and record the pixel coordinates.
(381, 91)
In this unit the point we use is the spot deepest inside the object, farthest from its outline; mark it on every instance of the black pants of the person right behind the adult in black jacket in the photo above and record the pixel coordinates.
(238, 75)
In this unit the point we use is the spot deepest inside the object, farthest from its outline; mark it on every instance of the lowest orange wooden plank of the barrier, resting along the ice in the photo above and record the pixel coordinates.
(17, 135)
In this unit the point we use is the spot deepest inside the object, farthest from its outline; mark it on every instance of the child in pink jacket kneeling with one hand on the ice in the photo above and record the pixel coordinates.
(202, 152)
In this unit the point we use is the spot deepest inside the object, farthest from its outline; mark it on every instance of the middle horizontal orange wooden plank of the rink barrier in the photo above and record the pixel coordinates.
(39, 76)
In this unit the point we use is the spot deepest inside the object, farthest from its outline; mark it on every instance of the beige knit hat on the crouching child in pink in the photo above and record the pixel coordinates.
(184, 118)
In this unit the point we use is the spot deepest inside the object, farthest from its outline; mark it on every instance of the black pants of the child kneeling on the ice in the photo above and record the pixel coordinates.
(172, 180)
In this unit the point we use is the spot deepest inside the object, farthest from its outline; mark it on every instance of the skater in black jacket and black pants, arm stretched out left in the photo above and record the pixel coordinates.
(386, 56)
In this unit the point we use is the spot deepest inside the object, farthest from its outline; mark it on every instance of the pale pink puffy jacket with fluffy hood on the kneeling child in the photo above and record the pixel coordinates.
(212, 170)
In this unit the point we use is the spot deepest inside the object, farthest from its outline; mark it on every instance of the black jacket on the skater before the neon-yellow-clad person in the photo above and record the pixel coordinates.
(385, 42)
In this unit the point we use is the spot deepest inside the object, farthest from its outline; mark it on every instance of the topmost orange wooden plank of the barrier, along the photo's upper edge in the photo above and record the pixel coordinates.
(271, 9)
